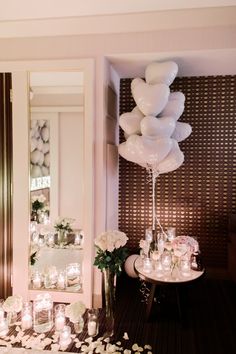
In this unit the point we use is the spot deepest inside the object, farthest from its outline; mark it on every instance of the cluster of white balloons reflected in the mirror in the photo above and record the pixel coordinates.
(39, 148)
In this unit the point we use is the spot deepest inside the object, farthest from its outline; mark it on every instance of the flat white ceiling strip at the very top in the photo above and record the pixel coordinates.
(27, 9)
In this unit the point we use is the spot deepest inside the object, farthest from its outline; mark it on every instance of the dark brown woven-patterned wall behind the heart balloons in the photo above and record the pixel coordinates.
(198, 197)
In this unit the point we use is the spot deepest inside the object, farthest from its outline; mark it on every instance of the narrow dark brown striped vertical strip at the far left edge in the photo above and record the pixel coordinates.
(5, 185)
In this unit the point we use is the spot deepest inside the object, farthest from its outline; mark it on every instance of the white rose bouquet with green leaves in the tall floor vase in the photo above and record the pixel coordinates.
(111, 252)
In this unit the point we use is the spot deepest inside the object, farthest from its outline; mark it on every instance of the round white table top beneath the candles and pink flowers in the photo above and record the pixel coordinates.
(157, 277)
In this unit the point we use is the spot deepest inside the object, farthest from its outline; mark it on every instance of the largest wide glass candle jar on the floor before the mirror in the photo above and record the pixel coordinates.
(42, 313)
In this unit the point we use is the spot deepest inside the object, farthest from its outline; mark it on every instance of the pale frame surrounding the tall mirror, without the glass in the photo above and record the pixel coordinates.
(21, 200)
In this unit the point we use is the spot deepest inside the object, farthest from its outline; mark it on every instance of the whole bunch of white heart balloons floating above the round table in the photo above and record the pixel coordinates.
(152, 130)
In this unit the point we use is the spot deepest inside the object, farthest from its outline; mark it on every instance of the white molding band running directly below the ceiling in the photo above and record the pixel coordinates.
(132, 22)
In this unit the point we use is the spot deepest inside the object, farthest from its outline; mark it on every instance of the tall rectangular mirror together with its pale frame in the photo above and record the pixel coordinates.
(53, 186)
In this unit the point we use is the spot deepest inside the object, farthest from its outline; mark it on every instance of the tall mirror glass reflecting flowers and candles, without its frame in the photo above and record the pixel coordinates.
(56, 180)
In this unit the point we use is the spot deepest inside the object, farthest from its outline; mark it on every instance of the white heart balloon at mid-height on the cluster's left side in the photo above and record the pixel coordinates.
(130, 122)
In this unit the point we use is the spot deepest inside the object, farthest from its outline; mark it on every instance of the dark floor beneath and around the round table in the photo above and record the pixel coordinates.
(207, 324)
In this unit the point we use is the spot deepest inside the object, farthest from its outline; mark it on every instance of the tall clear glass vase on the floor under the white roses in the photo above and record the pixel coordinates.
(109, 287)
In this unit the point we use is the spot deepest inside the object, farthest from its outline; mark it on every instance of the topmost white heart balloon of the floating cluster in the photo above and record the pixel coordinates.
(161, 73)
